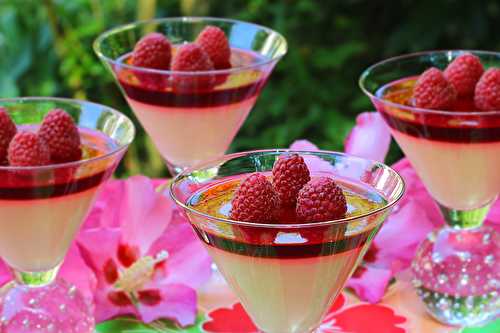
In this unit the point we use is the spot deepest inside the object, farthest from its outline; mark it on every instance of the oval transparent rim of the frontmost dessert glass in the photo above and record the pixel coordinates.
(219, 161)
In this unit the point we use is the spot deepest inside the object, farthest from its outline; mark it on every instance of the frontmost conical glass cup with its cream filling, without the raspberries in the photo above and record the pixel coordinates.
(287, 275)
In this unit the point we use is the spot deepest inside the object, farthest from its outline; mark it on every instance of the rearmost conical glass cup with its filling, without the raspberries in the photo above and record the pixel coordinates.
(192, 125)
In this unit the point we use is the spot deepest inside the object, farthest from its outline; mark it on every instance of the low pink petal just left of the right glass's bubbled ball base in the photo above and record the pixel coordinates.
(372, 283)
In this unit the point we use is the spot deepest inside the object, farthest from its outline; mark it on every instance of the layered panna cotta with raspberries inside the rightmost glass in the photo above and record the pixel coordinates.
(454, 147)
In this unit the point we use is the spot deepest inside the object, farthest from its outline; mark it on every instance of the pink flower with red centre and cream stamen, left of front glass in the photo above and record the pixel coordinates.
(144, 254)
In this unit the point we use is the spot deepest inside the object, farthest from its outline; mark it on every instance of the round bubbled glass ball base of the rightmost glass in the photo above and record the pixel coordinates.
(457, 275)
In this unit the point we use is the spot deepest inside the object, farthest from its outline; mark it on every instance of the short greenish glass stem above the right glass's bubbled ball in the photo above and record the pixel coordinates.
(465, 219)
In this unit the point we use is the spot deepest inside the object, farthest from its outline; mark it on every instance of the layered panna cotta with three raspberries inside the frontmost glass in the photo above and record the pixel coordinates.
(286, 277)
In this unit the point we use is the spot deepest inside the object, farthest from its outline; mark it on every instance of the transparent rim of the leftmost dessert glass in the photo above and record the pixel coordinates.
(120, 147)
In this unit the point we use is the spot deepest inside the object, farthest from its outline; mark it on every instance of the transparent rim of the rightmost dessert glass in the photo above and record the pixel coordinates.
(366, 73)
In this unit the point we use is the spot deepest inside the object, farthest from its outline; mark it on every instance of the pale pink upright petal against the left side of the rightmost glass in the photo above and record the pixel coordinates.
(370, 138)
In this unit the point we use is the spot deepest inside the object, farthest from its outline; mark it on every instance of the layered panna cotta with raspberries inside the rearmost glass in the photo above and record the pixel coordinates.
(193, 111)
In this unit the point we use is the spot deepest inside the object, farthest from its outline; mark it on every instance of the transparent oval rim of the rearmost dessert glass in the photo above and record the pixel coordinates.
(97, 46)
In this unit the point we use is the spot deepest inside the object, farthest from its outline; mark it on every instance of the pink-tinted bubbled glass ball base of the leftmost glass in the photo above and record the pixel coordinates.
(57, 307)
